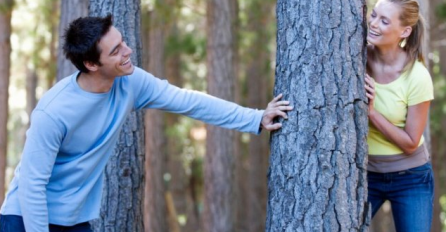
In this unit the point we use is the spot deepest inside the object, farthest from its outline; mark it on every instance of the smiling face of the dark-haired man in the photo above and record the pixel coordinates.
(115, 55)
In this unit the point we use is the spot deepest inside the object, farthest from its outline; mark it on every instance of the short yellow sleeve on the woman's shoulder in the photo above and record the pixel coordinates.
(420, 86)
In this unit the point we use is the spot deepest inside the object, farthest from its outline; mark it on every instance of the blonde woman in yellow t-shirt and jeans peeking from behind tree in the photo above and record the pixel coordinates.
(399, 89)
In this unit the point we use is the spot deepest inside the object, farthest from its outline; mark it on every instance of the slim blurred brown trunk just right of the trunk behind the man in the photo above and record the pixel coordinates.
(155, 204)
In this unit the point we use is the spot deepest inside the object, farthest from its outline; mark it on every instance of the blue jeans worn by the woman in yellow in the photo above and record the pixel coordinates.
(411, 194)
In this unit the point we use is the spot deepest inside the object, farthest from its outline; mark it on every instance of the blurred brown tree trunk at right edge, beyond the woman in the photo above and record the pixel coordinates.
(437, 64)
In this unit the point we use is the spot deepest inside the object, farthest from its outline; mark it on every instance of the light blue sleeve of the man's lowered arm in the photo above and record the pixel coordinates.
(42, 144)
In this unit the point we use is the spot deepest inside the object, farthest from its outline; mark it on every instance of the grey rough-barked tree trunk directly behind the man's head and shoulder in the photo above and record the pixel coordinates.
(122, 201)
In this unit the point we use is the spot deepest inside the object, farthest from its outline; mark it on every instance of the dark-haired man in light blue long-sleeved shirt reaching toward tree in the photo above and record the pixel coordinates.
(58, 183)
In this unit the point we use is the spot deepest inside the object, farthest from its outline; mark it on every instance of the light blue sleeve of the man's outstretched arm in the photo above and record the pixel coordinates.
(151, 92)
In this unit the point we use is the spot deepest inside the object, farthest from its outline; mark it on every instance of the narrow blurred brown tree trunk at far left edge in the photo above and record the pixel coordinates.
(5, 51)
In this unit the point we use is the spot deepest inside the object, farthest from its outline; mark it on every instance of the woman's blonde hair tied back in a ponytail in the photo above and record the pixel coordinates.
(410, 16)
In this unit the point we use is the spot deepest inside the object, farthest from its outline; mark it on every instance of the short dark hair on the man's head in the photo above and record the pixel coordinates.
(82, 38)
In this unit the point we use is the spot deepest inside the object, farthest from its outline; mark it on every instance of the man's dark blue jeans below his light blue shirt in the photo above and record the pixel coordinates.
(13, 223)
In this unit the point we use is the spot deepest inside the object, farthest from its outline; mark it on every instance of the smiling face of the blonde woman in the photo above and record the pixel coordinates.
(384, 25)
